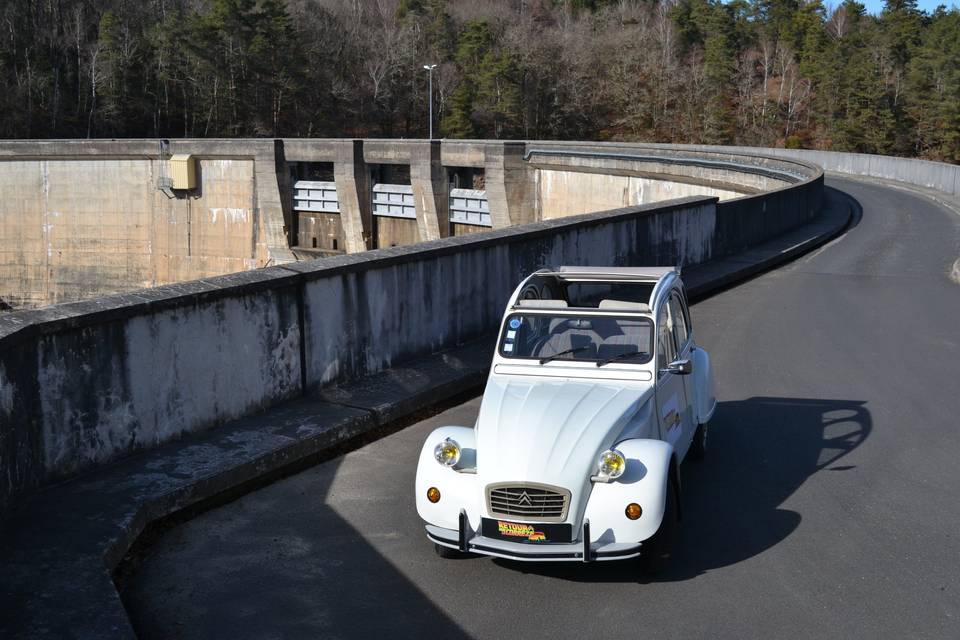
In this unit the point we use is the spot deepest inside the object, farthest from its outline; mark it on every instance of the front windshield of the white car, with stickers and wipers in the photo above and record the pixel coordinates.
(583, 338)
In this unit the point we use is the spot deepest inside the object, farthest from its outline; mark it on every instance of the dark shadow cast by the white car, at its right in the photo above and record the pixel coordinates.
(760, 451)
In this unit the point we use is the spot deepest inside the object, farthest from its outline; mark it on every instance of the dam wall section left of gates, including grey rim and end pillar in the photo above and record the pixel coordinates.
(85, 219)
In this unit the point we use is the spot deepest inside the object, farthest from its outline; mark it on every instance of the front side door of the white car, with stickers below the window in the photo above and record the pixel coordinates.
(673, 409)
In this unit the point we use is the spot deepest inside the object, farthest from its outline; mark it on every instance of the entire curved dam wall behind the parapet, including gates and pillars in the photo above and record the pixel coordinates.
(81, 219)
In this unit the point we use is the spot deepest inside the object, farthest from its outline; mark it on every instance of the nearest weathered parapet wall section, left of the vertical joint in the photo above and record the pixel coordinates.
(85, 382)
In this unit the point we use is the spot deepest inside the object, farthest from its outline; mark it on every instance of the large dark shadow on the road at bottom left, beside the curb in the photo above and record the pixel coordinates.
(282, 563)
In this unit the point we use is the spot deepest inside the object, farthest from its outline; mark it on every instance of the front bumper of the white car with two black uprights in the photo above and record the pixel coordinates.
(468, 541)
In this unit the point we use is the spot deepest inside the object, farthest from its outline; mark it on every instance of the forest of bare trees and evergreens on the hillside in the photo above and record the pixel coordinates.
(794, 73)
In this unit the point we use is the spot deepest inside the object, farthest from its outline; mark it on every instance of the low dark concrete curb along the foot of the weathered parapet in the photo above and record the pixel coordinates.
(106, 511)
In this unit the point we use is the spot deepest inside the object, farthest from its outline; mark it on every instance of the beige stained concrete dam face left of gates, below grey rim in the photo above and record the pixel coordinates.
(89, 228)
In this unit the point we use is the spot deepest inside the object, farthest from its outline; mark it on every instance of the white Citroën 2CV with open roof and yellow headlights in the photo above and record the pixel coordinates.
(596, 394)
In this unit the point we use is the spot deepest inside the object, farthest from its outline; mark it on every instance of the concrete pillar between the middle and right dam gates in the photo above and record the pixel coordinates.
(431, 195)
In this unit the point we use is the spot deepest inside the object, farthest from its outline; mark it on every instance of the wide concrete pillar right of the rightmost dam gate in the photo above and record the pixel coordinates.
(510, 184)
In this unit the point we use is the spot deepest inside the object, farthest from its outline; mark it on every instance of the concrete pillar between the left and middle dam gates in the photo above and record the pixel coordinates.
(353, 193)
